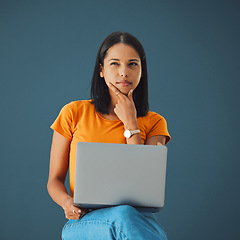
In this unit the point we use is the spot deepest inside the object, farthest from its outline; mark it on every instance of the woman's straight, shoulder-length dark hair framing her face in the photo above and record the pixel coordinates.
(99, 89)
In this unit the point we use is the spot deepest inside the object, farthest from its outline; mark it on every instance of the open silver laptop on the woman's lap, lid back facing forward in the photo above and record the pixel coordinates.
(114, 174)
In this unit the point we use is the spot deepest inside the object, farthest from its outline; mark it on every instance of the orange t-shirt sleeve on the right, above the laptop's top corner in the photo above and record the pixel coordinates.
(158, 127)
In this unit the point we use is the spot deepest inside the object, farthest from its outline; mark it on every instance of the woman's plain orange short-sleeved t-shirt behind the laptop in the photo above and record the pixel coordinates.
(79, 122)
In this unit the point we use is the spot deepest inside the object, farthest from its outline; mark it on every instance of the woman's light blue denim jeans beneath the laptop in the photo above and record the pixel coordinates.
(120, 222)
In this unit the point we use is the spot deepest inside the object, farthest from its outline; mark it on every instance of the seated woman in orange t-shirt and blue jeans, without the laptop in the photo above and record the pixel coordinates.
(119, 105)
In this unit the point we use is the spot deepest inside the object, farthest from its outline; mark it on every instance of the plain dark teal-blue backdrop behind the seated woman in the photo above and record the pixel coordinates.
(47, 57)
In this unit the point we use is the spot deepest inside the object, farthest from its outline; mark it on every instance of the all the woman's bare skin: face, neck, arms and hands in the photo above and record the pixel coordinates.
(122, 73)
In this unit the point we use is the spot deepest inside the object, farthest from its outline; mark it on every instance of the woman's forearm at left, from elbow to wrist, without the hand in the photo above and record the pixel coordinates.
(58, 192)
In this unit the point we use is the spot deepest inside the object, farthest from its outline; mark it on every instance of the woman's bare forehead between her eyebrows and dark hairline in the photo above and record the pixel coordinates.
(122, 51)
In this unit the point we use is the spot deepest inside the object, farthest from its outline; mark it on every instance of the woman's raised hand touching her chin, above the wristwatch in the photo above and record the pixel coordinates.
(125, 107)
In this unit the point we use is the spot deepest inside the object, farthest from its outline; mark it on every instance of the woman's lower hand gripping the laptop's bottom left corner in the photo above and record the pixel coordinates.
(72, 212)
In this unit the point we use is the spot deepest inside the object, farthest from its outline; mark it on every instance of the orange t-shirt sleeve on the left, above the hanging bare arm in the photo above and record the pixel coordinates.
(64, 121)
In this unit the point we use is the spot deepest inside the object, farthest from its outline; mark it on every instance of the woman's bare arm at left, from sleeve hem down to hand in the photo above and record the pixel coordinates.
(57, 174)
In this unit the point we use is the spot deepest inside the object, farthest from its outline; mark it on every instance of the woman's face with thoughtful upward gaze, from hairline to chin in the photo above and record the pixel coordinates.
(122, 67)
